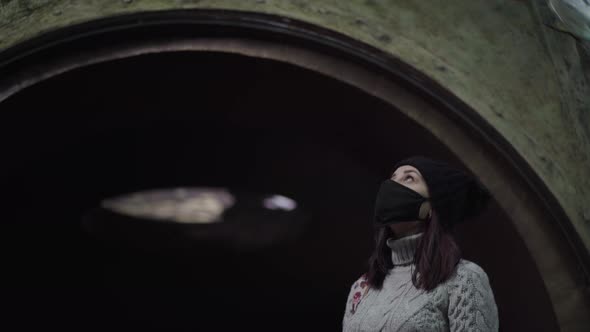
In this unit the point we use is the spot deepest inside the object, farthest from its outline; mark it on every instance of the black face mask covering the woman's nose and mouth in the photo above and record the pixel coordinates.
(397, 203)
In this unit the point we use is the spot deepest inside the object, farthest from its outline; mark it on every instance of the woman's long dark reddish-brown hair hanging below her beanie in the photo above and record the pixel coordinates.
(435, 258)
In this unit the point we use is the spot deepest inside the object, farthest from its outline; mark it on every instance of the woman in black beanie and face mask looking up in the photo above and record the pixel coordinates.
(417, 280)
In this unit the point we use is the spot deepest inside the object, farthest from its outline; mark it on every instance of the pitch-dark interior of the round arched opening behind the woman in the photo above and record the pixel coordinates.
(215, 119)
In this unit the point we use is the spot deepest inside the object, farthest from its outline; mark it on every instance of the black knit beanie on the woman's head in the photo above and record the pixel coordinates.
(454, 195)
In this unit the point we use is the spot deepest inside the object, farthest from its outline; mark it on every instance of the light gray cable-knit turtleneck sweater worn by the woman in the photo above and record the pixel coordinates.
(465, 302)
